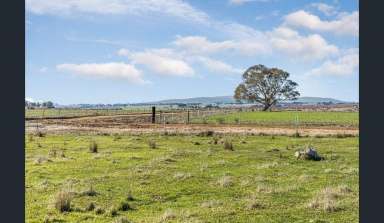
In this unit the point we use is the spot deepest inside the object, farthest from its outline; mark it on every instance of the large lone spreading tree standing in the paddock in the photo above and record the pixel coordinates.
(266, 86)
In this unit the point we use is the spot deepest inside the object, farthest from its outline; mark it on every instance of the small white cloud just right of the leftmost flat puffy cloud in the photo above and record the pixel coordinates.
(162, 61)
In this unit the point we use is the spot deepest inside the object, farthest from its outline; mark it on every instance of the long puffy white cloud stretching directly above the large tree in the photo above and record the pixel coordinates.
(283, 40)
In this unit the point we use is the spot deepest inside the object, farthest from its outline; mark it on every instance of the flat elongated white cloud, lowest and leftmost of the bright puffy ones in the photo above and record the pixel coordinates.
(105, 70)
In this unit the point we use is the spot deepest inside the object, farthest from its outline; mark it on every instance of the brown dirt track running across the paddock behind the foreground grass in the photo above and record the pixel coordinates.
(189, 129)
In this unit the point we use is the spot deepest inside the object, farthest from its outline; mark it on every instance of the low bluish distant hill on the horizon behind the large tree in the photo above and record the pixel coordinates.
(230, 99)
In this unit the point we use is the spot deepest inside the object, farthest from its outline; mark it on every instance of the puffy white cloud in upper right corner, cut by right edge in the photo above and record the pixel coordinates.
(345, 24)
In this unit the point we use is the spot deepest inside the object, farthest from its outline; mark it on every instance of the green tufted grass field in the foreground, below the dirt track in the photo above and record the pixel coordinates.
(182, 181)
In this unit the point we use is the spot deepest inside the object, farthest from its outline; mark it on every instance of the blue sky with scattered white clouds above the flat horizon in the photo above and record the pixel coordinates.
(110, 51)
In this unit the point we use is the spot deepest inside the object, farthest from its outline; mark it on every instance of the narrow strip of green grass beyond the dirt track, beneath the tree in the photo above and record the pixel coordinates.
(286, 118)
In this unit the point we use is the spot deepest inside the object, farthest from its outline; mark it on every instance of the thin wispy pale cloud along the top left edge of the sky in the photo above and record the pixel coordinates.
(177, 8)
